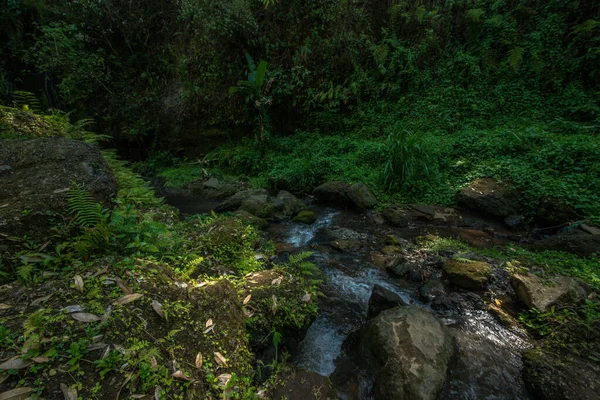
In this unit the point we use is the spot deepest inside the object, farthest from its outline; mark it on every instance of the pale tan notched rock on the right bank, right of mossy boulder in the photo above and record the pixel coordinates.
(533, 292)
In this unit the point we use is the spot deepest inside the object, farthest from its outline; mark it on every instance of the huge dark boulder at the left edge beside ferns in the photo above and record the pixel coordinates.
(35, 176)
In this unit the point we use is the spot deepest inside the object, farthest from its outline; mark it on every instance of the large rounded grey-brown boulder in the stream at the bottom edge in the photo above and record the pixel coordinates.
(408, 350)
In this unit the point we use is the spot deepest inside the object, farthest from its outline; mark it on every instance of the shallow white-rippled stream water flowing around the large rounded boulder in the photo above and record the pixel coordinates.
(487, 363)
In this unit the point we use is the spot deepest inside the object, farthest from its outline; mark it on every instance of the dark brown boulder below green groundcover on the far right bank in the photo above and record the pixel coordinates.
(490, 197)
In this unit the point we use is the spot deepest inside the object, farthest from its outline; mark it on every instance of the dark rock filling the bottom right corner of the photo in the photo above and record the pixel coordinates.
(552, 377)
